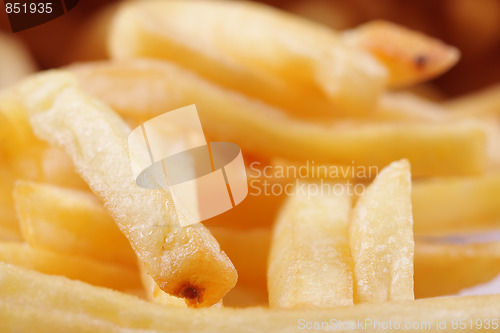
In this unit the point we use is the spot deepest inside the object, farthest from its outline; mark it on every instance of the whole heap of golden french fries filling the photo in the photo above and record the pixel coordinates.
(83, 248)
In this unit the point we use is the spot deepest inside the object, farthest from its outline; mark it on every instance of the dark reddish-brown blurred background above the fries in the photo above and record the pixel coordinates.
(471, 25)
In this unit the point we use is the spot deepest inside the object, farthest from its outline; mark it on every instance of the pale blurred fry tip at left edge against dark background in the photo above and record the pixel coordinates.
(15, 60)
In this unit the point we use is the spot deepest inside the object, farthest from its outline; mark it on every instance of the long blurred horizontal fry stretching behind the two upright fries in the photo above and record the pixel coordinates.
(144, 88)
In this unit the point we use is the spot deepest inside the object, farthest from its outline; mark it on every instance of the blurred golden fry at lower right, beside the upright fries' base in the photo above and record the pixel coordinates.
(444, 269)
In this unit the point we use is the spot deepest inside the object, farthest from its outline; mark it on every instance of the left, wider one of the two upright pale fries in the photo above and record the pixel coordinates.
(310, 263)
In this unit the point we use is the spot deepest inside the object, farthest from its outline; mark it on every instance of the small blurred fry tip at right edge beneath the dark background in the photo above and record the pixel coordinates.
(479, 103)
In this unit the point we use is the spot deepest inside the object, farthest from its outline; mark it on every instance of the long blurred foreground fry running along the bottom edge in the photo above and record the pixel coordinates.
(34, 302)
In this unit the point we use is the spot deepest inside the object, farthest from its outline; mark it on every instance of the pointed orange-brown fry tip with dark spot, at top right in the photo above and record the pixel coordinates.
(411, 57)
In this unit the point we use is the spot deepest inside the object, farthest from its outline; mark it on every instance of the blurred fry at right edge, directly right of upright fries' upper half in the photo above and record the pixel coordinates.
(456, 205)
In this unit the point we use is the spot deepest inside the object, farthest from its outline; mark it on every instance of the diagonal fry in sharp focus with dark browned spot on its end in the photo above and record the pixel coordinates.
(185, 262)
